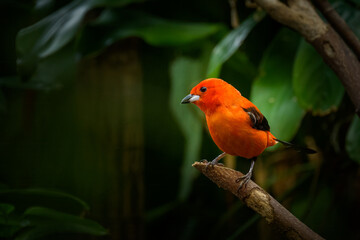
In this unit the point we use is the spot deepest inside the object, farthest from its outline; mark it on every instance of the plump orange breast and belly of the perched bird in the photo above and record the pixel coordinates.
(232, 132)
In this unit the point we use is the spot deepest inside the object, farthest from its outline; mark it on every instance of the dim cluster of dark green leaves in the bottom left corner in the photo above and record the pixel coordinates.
(24, 217)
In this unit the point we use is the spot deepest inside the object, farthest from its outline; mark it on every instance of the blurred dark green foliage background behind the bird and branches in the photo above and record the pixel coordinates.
(70, 96)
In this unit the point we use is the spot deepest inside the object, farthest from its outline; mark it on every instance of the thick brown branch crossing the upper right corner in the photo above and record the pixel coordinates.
(301, 15)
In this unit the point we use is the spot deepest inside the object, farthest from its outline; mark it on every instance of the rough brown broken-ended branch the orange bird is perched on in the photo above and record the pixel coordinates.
(260, 201)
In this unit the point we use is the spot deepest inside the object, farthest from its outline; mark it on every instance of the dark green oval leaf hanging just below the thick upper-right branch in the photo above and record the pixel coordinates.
(316, 87)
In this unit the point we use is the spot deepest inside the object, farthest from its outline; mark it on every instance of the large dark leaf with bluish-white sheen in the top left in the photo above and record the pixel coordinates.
(50, 34)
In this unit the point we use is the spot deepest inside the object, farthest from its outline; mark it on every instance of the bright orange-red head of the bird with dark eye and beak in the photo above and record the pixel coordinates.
(210, 94)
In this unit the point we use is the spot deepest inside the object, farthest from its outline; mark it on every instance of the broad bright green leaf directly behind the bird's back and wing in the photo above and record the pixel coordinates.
(272, 90)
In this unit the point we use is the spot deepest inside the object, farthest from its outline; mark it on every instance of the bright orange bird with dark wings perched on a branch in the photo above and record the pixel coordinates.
(235, 124)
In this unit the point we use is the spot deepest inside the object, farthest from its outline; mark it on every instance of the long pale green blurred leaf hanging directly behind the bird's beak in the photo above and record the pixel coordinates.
(185, 73)
